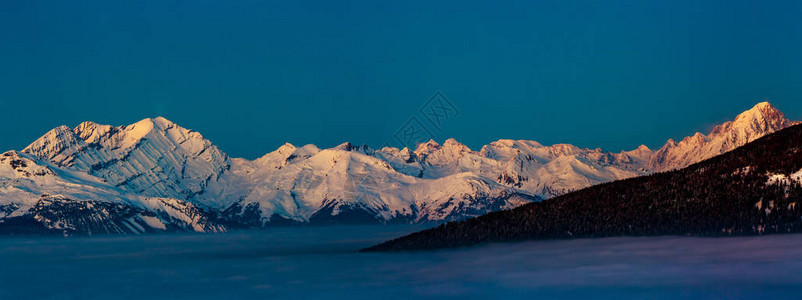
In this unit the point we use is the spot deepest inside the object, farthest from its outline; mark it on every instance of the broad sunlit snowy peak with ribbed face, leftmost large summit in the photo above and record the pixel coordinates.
(152, 157)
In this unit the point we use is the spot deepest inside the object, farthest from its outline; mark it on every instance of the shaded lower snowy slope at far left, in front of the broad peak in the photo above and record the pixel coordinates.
(39, 197)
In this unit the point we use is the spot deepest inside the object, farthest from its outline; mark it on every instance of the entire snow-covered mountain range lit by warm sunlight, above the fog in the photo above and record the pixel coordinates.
(154, 175)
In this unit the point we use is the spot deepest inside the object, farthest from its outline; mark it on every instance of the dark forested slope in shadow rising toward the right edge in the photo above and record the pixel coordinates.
(755, 189)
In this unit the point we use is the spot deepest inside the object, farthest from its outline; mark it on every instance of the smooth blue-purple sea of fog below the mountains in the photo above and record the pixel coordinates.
(322, 262)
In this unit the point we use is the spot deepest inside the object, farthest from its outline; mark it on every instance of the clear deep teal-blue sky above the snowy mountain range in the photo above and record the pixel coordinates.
(251, 75)
